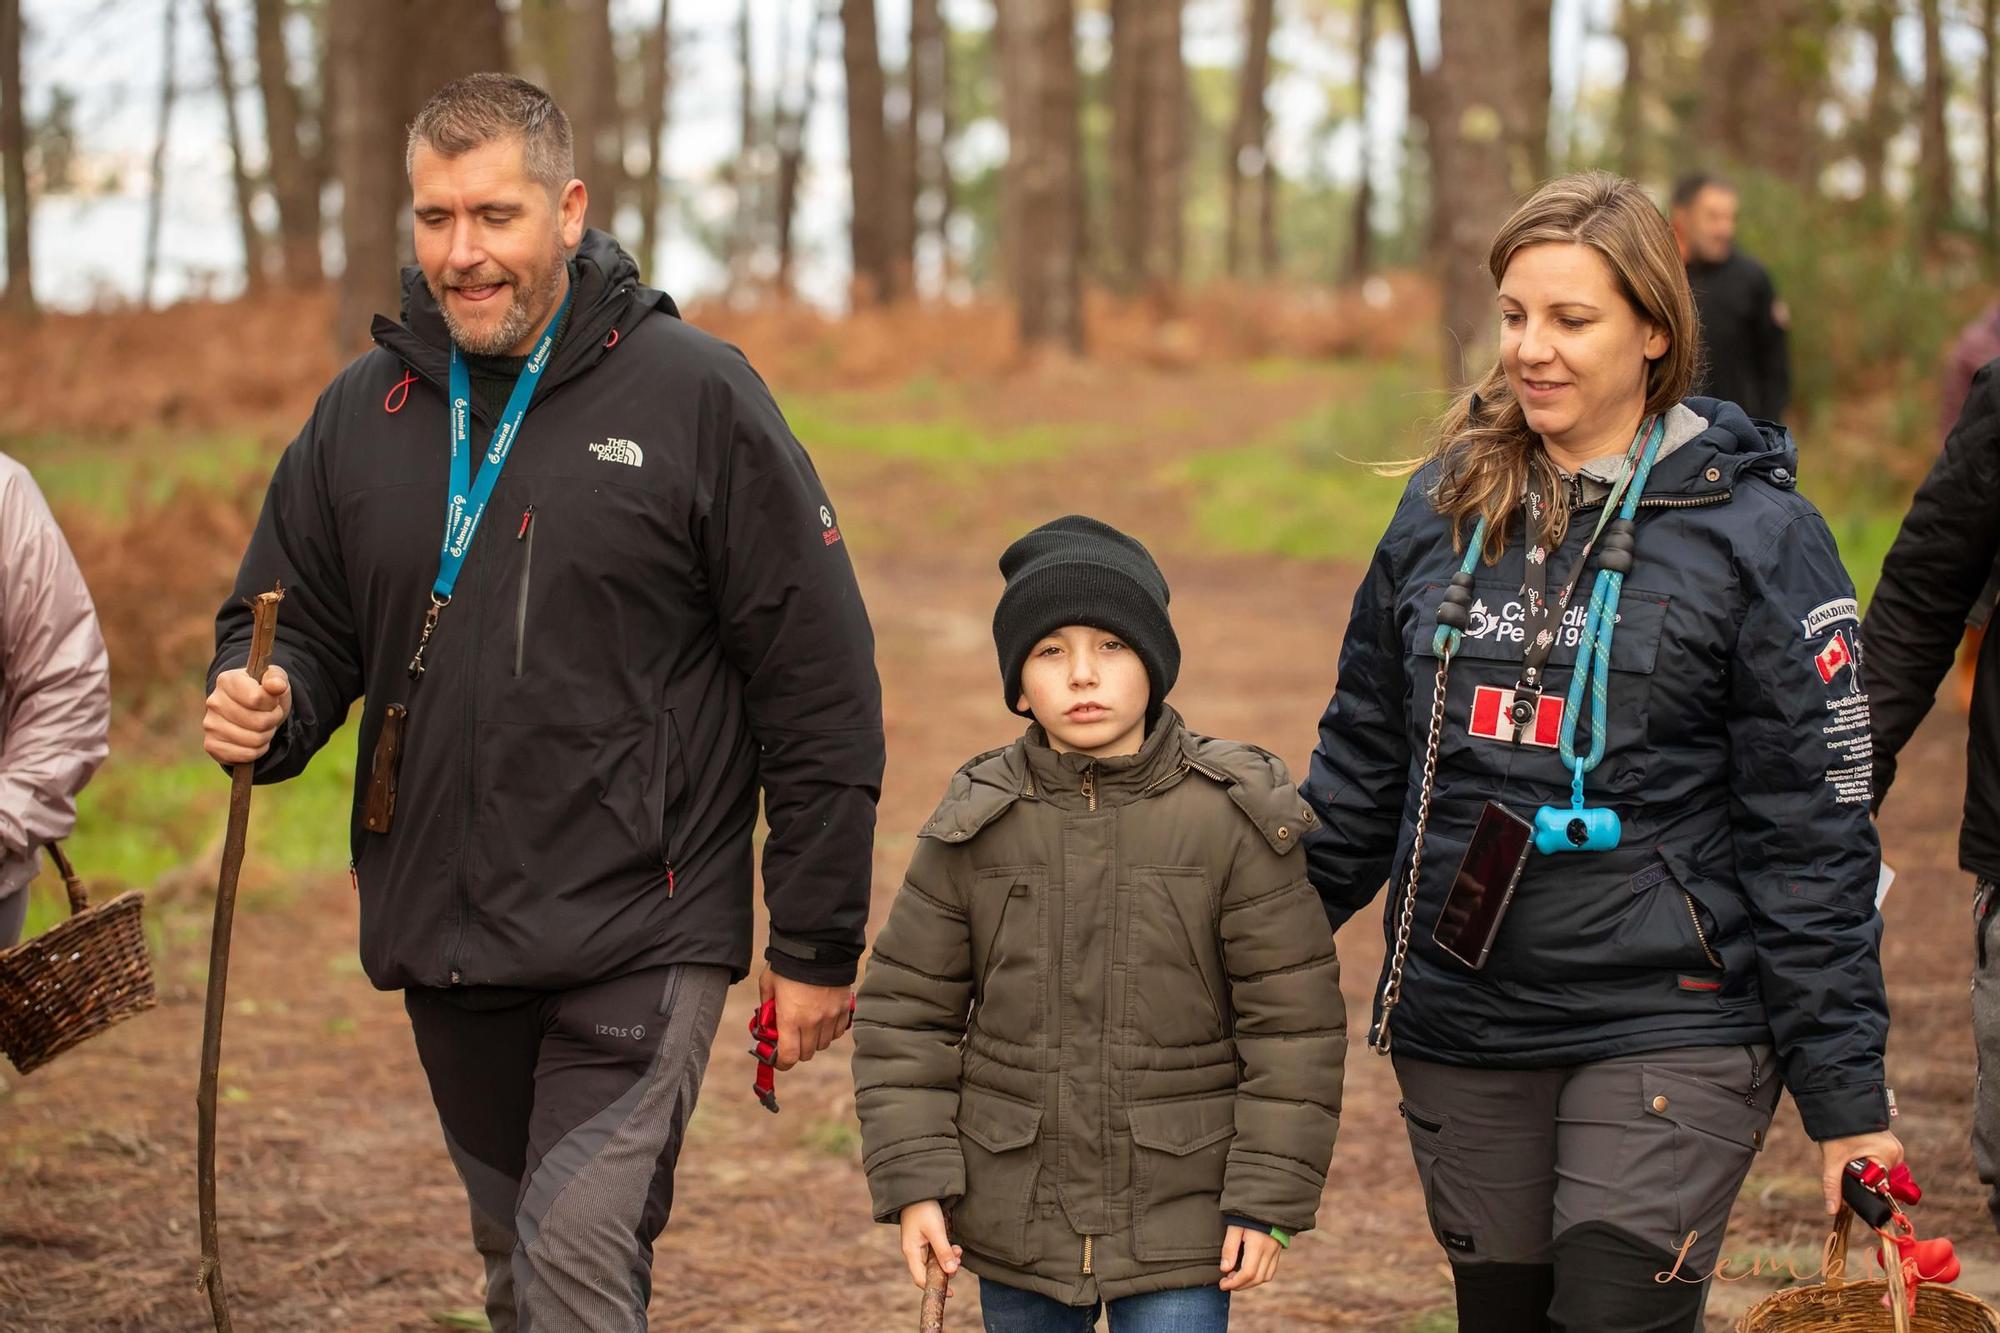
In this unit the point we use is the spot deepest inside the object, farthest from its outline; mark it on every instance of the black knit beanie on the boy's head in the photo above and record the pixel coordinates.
(1081, 571)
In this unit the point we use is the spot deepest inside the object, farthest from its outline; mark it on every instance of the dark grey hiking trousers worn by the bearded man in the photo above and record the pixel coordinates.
(565, 1116)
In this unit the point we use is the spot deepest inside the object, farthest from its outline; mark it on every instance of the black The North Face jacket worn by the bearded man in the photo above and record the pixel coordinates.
(657, 619)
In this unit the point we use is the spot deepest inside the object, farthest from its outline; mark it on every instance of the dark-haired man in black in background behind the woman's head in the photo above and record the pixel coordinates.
(1743, 321)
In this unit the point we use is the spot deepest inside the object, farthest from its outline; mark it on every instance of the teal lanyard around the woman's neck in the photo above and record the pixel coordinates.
(1595, 647)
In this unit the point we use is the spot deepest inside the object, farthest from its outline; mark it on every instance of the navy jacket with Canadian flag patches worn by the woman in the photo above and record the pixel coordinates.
(1739, 906)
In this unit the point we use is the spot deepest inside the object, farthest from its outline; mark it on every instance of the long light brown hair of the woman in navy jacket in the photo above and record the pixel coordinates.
(1483, 441)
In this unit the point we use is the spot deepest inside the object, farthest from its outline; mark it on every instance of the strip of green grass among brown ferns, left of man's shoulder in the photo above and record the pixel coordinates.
(109, 479)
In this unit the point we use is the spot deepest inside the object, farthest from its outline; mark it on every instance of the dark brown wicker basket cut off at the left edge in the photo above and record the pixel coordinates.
(75, 980)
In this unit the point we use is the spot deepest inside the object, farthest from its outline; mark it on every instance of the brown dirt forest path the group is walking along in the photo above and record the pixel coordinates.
(341, 1208)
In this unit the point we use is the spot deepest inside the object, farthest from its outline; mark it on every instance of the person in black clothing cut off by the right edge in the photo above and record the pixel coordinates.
(1933, 577)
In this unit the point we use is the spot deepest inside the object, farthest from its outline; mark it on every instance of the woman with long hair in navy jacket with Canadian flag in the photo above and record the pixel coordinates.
(1659, 986)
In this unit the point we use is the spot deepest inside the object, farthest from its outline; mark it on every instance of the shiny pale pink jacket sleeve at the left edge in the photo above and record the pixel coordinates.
(55, 680)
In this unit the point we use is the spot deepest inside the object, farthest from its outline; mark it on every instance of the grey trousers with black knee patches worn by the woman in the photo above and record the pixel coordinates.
(1589, 1198)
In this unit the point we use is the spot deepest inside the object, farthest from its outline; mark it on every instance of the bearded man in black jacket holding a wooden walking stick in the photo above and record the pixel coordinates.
(595, 601)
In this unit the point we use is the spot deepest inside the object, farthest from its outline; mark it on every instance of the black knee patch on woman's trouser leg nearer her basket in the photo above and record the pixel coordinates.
(1609, 1278)
